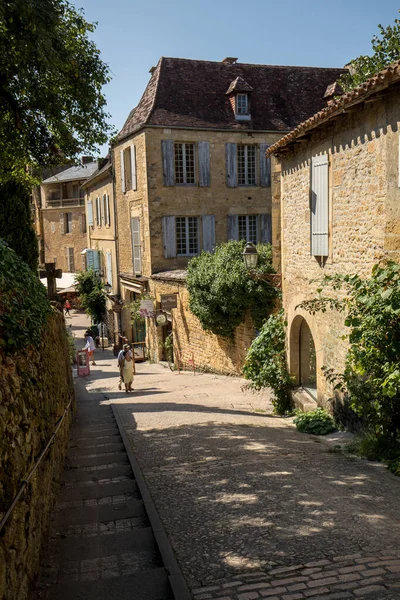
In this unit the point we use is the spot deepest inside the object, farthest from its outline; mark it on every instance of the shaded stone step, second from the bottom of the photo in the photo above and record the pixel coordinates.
(124, 542)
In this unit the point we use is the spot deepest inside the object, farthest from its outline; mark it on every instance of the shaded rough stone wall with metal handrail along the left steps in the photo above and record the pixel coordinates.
(35, 387)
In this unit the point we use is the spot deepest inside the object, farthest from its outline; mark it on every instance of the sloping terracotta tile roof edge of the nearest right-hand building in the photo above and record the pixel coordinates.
(374, 85)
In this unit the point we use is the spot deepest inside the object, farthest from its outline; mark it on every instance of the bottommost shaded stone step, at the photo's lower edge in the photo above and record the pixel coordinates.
(147, 585)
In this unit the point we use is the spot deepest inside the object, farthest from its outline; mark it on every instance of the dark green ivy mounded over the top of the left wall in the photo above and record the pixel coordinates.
(24, 306)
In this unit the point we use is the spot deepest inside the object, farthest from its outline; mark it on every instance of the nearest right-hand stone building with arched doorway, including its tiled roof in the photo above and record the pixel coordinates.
(340, 213)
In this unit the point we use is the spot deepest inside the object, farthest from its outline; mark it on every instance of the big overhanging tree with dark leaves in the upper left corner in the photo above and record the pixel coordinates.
(51, 78)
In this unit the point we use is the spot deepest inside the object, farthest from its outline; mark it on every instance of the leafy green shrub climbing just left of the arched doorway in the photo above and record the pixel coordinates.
(266, 364)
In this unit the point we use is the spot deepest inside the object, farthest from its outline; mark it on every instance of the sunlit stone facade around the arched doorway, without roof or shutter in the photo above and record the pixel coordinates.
(362, 147)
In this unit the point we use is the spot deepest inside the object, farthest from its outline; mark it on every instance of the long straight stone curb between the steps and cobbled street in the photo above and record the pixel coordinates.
(178, 584)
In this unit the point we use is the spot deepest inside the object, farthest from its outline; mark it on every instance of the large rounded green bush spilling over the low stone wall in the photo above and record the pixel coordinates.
(221, 289)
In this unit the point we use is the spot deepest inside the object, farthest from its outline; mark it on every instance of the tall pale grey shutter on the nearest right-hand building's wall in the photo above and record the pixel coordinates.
(319, 206)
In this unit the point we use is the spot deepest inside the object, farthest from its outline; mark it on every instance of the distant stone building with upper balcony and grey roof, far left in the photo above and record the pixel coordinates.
(60, 218)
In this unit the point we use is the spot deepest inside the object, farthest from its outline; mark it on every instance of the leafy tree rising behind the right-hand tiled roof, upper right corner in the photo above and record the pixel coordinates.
(386, 50)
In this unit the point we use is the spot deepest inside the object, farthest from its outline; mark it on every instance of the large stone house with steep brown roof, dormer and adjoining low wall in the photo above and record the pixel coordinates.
(191, 172)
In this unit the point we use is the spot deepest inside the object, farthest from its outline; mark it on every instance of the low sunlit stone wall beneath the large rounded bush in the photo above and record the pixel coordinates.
(209, 351)
